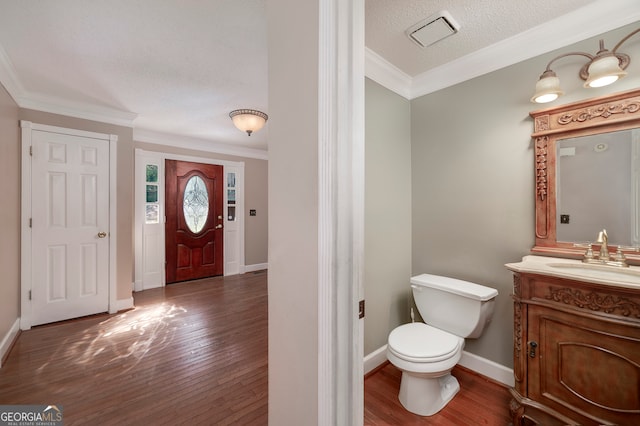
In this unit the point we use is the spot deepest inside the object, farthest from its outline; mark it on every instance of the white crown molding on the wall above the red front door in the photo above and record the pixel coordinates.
(197, 144)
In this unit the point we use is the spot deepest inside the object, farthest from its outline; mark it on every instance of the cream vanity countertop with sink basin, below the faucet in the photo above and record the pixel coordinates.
(577, 270)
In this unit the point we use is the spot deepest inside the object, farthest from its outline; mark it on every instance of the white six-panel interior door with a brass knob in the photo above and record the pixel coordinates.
(70, 226)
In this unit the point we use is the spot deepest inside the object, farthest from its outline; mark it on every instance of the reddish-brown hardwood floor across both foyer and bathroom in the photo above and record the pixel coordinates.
(192, 353)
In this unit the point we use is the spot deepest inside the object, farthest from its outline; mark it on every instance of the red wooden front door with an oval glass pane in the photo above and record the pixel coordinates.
(194, 237)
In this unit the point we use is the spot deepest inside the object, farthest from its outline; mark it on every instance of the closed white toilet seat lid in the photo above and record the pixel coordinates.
(421, 343)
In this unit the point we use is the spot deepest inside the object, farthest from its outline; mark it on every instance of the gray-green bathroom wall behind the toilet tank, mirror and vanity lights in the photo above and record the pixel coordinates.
(472, 176)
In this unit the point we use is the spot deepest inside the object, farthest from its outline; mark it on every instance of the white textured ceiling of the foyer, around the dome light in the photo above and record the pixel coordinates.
(181, 66)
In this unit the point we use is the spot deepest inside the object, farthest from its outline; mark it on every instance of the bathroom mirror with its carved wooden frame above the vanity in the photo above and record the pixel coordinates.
(587, 164)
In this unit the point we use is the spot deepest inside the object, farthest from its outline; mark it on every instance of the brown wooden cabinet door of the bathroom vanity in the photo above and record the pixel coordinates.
(585, 367)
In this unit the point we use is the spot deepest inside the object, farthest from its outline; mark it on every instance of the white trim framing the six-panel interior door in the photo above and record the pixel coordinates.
(25, 232)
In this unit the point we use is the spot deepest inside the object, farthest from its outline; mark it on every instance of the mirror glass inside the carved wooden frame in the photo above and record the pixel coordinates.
(594, 173)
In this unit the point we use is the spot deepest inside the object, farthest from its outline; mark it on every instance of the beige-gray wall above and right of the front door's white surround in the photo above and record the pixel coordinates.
(255, 197)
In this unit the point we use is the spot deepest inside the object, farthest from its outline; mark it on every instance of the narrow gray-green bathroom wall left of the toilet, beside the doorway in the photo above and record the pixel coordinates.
(388, 213)
